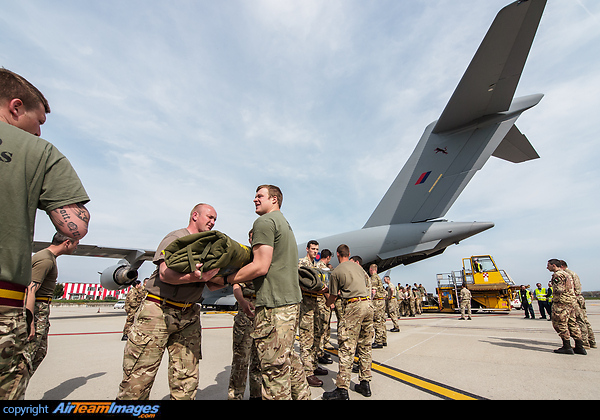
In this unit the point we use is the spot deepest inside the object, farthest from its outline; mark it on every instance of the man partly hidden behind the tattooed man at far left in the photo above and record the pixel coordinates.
(44, 273)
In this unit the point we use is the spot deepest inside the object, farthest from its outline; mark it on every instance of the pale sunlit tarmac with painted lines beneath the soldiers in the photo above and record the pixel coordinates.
(434, 356)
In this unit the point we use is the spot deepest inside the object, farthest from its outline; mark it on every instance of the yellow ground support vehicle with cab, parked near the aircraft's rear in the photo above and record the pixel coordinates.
(491, 289)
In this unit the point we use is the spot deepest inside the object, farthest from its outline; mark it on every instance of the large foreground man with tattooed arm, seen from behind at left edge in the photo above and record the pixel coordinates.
(35, 175)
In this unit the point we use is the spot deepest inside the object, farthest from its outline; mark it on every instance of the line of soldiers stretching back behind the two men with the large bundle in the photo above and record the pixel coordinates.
(366, 318)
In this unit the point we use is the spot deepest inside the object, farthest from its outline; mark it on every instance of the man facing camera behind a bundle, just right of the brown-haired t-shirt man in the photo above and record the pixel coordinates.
(311, 324)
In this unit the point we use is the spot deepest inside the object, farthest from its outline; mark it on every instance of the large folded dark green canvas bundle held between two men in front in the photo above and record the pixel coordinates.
(213, 249)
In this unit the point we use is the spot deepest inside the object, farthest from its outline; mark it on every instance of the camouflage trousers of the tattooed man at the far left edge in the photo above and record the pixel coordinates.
(14, 368)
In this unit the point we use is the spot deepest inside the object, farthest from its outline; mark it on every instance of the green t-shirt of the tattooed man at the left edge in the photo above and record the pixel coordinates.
(33, 175)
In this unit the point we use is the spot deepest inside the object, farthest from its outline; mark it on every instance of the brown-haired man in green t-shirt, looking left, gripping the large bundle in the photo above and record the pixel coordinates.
(274, 271)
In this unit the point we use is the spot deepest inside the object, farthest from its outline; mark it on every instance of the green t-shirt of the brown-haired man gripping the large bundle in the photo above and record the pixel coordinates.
(280, 286)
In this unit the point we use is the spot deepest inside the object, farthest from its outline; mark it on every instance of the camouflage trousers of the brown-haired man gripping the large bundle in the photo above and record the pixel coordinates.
(282, 372)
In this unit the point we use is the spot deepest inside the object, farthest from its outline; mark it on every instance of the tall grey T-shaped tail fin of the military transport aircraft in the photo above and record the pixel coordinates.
(478, 122)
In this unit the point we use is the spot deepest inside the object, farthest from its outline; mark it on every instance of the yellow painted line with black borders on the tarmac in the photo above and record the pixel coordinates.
(432, 387)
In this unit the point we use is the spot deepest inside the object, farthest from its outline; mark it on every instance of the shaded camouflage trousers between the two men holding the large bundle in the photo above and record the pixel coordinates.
(244, 355)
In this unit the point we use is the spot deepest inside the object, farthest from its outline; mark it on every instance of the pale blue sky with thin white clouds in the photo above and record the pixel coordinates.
(163, 105)
